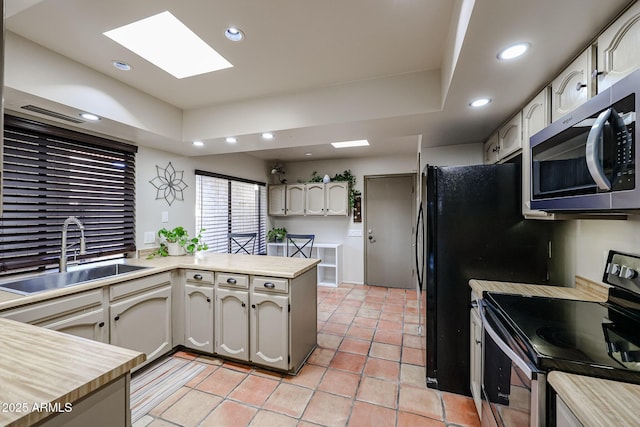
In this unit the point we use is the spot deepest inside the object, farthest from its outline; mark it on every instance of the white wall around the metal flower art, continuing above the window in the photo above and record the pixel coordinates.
(149, 209)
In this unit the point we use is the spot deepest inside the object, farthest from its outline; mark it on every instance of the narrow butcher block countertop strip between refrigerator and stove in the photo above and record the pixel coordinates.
(584, 290)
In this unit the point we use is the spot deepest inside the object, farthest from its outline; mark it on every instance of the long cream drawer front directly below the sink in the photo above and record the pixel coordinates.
(54, 308)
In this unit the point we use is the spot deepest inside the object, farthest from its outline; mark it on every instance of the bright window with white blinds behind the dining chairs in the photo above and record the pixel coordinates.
(226, 205)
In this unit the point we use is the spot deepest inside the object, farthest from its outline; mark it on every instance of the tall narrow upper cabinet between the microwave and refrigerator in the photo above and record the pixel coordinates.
(535, 117)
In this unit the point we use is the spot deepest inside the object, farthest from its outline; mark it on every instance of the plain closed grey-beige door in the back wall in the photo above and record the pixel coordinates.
(390, 223)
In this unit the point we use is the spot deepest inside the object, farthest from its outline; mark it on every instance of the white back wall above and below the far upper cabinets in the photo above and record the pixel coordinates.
(336, 229)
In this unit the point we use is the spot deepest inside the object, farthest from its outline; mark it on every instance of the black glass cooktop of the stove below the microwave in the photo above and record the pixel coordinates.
(582, 337)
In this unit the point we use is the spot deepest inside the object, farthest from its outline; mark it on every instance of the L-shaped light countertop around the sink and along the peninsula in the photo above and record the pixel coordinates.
(272, 266)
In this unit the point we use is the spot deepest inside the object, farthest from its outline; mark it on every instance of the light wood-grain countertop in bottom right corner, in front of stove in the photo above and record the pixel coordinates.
(597, 402)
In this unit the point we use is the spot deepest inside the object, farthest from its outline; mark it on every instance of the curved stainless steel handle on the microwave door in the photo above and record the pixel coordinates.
(593, 145)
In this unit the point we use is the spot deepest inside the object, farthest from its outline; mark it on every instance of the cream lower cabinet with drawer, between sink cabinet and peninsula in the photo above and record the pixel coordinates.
(140, 315)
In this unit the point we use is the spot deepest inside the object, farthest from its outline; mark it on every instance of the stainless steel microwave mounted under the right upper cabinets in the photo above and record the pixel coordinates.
(586, 161)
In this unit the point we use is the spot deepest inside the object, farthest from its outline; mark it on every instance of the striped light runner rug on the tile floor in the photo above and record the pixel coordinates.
(151, 387)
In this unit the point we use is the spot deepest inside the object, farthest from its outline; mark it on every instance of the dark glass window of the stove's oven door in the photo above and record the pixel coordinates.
(506, 389)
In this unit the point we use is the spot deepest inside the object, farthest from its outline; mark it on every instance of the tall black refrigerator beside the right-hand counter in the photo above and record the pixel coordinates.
(474, 229)
